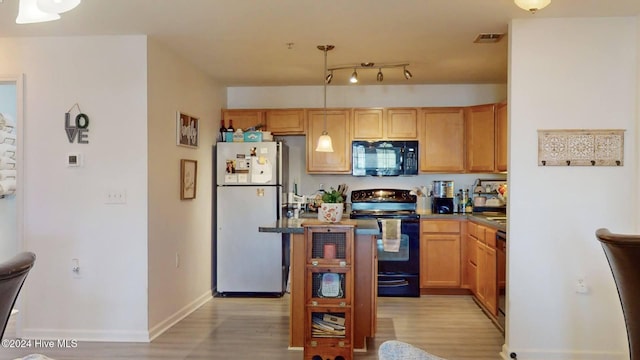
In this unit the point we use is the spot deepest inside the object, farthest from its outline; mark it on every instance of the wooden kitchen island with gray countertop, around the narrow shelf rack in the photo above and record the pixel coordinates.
(362, 288)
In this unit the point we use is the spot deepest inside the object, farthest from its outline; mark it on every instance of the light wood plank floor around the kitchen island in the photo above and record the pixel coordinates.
(452, 327)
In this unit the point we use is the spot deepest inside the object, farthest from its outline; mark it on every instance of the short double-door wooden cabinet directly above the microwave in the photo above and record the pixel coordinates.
(385, 124)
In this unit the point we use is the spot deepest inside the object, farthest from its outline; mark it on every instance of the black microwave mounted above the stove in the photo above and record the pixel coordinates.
(384, 158)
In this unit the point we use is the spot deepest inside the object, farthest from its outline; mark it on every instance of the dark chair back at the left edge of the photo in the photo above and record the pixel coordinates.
(13, 273)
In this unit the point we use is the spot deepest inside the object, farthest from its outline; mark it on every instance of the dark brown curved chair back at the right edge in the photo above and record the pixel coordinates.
(623, 254)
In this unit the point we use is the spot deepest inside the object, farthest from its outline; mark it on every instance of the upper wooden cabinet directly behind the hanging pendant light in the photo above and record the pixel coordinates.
(338, 126)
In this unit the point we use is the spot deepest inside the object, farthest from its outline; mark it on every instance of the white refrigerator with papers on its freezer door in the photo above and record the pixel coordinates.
(250, 178)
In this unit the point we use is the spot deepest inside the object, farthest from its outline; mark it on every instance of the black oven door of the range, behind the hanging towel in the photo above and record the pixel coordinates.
(399, 272)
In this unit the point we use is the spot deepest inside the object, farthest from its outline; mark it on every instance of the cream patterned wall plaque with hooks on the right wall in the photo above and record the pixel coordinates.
(580, 147)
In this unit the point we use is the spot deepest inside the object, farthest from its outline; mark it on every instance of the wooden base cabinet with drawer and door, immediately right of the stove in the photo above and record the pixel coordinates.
(440, 254)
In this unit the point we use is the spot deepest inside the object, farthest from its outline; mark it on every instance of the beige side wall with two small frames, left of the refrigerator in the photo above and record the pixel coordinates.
(178, 228)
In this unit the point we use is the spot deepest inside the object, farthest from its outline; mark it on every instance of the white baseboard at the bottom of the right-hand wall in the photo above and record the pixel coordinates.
(539, 354)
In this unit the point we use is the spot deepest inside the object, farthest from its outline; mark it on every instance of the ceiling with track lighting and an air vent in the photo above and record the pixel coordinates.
(244, 42)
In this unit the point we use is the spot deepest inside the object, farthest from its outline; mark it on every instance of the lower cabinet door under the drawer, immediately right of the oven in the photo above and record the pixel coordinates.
(441, 265)
